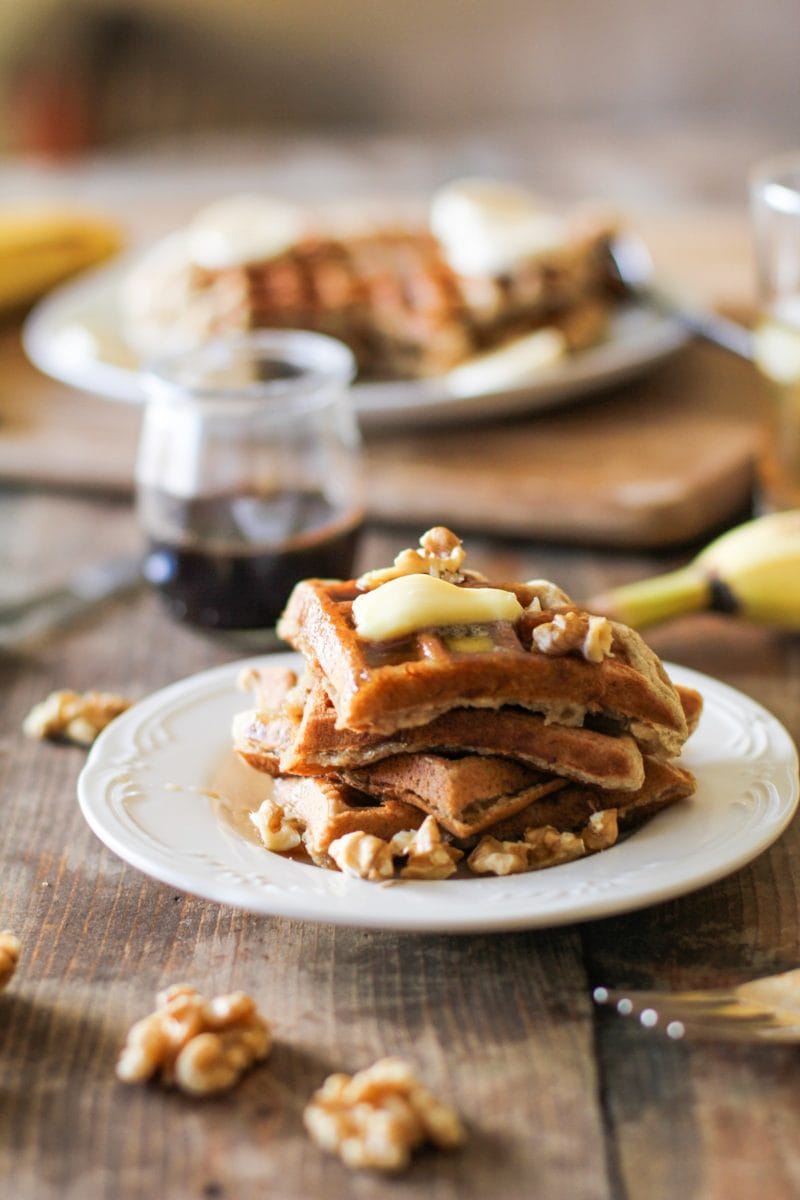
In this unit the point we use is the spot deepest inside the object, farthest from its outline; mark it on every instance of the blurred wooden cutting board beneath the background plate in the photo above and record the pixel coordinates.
(657, 464)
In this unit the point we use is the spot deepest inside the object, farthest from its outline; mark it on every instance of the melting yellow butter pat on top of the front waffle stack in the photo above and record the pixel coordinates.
(424, 602)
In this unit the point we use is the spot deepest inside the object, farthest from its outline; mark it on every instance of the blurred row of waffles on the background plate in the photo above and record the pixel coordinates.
(389, 292)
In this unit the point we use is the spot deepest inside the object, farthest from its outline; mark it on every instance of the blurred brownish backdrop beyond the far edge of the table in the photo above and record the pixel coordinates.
(85, 74)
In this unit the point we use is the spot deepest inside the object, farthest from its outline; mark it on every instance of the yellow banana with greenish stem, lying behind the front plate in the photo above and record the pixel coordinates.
(753, 571)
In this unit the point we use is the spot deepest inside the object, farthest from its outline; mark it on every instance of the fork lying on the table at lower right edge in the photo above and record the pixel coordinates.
(766, 1010)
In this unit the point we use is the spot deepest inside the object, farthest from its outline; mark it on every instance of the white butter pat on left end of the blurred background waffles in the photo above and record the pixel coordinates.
(244, 230)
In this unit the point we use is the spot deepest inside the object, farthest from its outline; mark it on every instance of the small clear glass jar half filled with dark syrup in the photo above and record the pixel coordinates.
(249, 475)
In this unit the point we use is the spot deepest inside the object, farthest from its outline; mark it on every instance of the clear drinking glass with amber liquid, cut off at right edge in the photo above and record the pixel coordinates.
(775, 206)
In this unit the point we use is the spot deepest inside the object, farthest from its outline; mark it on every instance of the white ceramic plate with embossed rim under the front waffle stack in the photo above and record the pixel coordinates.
(146, 793)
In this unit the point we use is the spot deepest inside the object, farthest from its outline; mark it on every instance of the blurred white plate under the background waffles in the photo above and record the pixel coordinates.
(103, 363)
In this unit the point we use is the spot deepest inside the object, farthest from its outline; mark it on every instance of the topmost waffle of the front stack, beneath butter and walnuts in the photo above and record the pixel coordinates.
(383, 687)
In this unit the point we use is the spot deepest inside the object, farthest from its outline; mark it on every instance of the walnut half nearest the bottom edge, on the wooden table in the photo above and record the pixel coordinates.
(377, 1118)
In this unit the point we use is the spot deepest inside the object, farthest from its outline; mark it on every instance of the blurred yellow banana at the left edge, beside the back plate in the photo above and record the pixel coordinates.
(40, 249)
